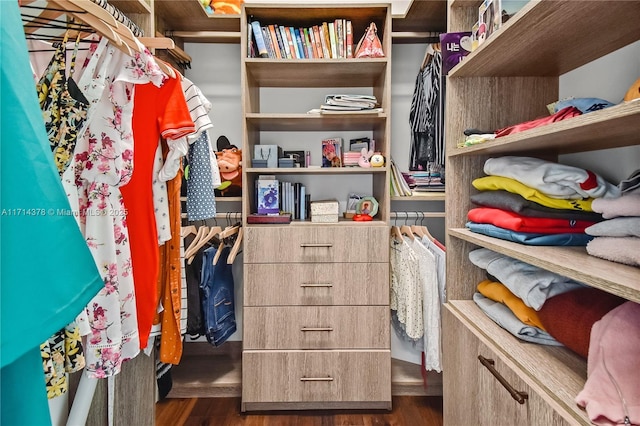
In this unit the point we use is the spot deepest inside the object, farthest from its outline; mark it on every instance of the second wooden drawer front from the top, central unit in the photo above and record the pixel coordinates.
(280, 284)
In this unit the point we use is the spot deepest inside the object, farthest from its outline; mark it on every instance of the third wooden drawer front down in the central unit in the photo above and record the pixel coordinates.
(316, 327)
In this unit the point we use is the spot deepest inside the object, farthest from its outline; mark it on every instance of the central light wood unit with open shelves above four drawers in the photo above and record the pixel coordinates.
(309, 288)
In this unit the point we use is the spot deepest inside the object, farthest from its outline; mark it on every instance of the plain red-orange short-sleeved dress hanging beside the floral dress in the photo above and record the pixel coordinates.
(158, 111)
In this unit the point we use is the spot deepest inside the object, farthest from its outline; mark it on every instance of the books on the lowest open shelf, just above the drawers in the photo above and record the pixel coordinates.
(274, 197)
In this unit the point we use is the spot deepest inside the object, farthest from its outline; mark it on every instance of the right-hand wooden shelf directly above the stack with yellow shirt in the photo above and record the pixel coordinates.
(612, 127)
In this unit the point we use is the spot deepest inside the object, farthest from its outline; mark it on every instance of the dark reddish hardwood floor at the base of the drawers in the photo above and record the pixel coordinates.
(407, 410)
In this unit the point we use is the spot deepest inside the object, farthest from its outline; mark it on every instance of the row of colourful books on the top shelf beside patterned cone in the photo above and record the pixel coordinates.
(328, 40)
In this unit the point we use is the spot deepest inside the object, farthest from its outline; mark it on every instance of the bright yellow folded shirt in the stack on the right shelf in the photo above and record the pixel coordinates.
(492, 183)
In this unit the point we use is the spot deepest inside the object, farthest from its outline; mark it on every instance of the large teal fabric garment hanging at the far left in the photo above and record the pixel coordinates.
(47, 272)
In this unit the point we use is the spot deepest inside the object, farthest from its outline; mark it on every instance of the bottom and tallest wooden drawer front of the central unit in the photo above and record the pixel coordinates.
(307, 376)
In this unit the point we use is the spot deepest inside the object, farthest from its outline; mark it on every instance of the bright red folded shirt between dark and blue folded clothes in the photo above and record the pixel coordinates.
(515, 222)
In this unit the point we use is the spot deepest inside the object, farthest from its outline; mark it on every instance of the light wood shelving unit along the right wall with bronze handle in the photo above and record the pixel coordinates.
(508, 80)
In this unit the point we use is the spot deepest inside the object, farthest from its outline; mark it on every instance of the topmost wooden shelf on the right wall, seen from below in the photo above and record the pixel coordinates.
(550, 38)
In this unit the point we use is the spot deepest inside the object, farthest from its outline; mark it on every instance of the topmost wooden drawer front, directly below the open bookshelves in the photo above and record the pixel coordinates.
(287, 244)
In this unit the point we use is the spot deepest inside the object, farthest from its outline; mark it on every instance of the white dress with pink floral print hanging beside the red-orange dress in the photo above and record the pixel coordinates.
(102, 163)
